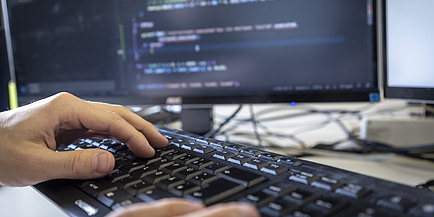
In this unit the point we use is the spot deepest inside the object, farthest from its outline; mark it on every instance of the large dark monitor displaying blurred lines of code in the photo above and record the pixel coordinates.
(195, 52)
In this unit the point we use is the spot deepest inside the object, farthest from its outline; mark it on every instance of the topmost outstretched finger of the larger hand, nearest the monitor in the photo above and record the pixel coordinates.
(151, 133)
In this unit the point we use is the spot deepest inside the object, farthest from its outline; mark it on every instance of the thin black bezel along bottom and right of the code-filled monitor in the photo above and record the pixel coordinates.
(362, 95)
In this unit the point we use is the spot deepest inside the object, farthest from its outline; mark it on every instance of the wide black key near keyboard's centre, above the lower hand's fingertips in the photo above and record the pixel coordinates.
(243, 177)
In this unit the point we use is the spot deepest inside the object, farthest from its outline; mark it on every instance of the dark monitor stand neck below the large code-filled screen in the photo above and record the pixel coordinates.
(197, 120)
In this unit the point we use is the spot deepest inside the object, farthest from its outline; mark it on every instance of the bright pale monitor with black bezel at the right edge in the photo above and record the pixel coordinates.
(408, 50)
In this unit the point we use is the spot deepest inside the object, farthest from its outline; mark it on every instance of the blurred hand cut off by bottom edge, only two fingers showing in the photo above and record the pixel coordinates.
(184, 208)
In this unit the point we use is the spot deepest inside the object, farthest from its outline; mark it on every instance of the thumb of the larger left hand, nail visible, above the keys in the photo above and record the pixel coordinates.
(82, 164)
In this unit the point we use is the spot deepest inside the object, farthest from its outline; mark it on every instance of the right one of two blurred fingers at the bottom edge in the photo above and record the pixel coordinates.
(233, 209)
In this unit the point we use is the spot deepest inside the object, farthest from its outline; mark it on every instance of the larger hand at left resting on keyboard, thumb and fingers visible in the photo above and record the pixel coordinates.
(29, 135)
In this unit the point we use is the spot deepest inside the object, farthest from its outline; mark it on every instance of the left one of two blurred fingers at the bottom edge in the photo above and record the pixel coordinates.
(162, 208)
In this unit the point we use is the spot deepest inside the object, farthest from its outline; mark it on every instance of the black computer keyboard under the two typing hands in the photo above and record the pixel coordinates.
(213, 171)
